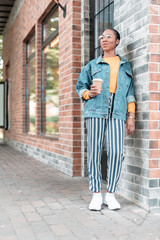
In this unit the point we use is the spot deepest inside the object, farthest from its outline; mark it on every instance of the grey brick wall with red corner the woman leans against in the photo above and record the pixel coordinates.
(138, 24)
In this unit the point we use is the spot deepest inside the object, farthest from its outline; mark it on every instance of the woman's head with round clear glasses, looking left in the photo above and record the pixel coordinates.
(108, 41)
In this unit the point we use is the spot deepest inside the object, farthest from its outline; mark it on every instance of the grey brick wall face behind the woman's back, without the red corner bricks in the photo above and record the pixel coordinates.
(132, 21)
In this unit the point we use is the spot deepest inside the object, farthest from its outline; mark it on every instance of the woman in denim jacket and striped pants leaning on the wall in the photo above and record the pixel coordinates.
(107, 111)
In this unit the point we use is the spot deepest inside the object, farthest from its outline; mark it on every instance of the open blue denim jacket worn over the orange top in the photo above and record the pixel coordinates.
(98, 106)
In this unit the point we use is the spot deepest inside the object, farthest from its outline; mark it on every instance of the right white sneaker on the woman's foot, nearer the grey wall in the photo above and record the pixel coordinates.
(111, 201)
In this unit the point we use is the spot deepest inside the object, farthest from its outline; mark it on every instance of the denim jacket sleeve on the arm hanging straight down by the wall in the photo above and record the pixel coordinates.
(130, 94)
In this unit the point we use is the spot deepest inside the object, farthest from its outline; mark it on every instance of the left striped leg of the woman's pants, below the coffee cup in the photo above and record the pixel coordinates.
(95, 134)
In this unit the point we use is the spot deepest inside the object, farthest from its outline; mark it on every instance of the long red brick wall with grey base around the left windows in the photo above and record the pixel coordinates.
(65, 152)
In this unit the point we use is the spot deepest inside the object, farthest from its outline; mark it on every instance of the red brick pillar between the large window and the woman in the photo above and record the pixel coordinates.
(69, 69)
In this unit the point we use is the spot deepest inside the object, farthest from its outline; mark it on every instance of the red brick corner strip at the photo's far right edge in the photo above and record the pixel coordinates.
(154, 87)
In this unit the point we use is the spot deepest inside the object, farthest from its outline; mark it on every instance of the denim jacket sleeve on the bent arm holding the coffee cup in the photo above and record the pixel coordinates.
(84, 81)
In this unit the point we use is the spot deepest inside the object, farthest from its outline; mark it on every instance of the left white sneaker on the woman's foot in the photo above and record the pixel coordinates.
(96, 202)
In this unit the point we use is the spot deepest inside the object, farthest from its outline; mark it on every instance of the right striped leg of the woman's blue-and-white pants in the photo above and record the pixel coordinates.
(115, 139)
